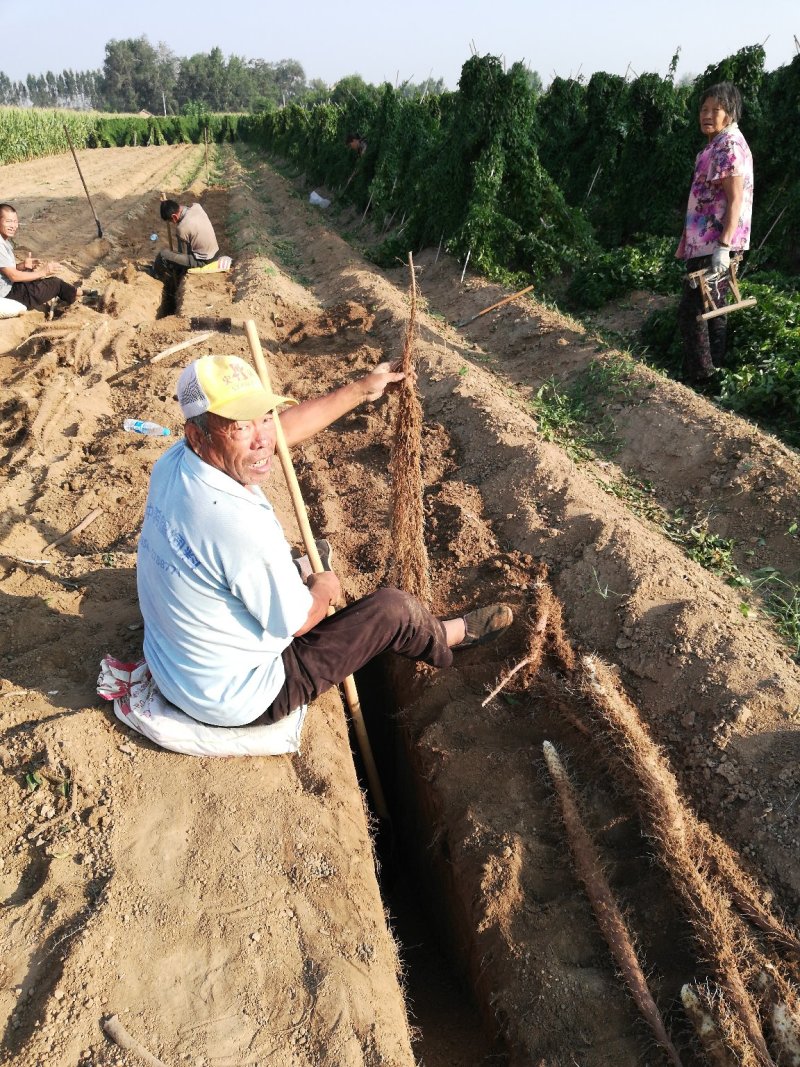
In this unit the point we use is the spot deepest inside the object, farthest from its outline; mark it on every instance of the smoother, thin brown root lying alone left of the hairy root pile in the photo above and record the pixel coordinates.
(604, 905)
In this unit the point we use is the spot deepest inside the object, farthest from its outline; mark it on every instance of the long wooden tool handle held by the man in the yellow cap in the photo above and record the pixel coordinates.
(351, 694)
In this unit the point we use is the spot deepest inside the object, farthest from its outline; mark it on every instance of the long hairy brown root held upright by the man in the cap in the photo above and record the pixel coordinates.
(410, 567)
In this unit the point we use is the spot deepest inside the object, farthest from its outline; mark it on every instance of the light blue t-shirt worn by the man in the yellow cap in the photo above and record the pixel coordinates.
(219, 593)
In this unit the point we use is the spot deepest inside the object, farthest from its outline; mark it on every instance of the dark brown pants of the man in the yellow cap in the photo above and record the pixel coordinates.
(389, 620)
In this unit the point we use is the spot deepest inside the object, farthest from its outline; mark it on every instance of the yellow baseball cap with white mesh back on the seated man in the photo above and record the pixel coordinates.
(226, 386)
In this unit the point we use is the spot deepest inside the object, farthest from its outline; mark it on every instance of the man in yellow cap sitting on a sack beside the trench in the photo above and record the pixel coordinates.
(233, 634)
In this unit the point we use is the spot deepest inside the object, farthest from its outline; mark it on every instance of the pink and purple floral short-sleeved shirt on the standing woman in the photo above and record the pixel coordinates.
(727, 156)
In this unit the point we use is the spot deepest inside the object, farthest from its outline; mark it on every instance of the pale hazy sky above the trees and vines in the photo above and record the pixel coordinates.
(409, 40)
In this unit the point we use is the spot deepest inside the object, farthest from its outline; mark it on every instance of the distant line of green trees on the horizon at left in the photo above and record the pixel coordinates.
(138, 76)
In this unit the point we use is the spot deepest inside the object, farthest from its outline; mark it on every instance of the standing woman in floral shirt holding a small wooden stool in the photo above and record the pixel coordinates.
(717, 224)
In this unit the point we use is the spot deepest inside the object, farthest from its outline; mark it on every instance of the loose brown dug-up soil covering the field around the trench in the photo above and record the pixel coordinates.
(229, 911)
